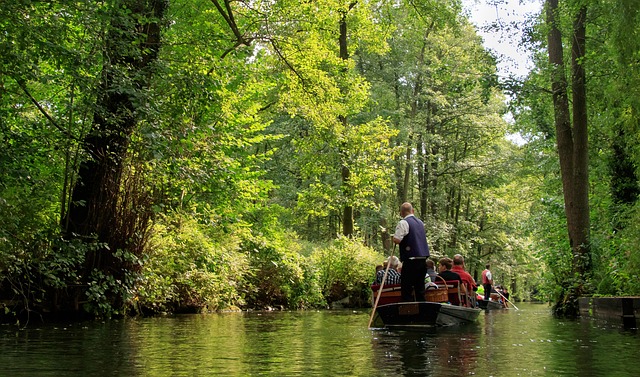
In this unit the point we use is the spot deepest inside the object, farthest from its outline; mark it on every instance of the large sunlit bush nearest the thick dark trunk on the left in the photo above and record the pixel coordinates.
(190, 267)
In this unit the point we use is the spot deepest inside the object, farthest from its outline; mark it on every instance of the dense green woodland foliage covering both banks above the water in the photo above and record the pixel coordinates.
(198, 155)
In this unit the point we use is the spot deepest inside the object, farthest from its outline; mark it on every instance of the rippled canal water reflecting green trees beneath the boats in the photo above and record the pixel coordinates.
(525, 342)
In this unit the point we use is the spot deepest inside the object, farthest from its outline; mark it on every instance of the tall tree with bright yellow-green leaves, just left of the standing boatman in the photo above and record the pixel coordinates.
(336, 148)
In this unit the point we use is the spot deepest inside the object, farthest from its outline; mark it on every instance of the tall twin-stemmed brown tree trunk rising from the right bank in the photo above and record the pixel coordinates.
(572, 150)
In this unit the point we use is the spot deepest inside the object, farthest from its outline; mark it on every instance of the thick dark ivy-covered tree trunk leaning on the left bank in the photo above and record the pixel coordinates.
(96, 199)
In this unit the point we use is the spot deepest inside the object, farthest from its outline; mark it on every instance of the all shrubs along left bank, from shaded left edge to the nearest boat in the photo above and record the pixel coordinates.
(193, 267)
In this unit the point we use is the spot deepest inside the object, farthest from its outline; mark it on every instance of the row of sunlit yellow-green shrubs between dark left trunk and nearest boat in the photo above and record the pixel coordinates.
(195, 268)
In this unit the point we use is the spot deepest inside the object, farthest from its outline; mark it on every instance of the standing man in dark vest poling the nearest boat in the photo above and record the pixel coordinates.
(414, 251)
